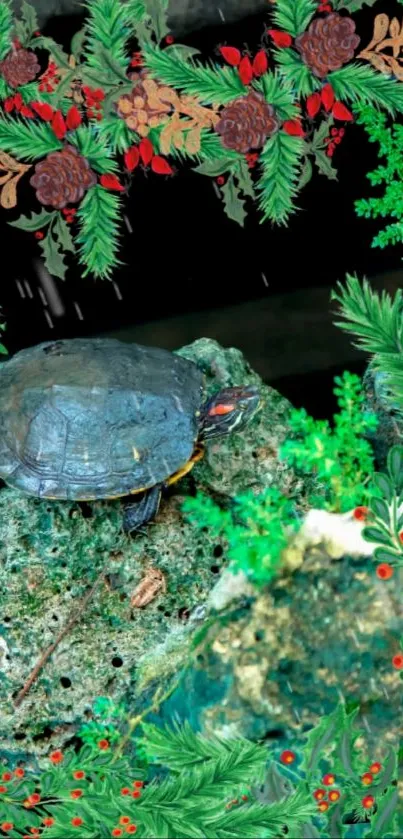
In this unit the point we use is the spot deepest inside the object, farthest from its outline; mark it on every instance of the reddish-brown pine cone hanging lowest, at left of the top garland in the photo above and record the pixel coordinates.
(62, 178)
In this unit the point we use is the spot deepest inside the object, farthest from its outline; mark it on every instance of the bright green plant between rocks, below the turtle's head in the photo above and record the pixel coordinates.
(257, 529)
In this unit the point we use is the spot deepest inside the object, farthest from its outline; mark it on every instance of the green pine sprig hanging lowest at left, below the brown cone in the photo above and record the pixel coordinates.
(98, 215)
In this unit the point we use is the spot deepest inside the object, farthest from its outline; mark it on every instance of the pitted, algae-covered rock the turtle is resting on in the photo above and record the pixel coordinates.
(52, 554)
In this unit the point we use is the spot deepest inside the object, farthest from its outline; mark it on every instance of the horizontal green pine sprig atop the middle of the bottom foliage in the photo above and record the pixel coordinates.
(180, 747)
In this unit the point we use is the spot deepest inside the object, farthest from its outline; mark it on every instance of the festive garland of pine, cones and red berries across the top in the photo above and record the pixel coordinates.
(79, 125)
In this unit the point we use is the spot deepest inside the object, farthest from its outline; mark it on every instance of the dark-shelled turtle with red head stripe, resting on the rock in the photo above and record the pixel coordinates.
(83, 419)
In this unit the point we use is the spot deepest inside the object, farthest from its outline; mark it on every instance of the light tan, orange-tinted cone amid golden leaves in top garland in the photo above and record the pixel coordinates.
(140, 109)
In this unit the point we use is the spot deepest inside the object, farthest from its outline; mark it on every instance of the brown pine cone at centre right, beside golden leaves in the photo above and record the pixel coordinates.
(246, 123)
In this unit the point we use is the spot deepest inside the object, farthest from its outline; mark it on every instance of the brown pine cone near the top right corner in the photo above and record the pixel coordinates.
(329, 43)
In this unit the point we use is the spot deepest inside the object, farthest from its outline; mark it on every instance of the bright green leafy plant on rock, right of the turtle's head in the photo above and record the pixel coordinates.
(340, 458)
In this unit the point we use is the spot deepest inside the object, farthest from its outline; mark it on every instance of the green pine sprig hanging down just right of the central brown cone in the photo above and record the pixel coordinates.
(281, 161)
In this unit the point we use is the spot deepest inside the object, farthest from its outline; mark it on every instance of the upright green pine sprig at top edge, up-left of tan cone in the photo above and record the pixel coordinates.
(109, 28)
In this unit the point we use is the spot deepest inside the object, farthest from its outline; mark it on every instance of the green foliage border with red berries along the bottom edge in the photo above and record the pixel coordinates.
(211, 787)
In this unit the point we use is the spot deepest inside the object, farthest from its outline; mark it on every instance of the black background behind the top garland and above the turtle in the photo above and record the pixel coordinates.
(184, 256)
